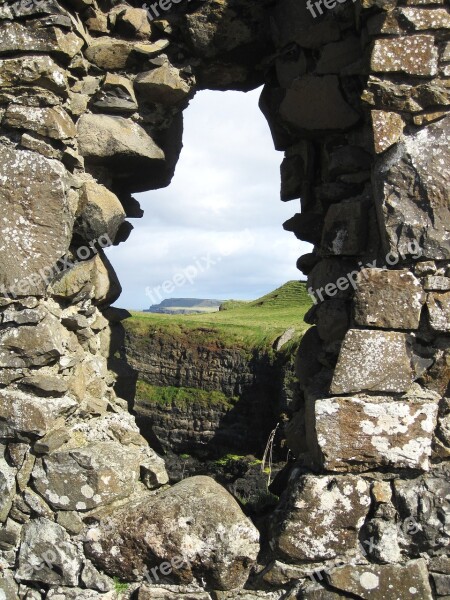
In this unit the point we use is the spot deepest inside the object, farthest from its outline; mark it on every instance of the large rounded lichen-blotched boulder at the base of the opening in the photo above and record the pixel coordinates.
(194, 529)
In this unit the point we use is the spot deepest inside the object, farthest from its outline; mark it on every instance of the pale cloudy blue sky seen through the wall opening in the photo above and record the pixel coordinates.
(216, 231)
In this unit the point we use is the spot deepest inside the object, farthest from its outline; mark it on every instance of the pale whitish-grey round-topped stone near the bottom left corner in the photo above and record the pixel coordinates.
(47, 554)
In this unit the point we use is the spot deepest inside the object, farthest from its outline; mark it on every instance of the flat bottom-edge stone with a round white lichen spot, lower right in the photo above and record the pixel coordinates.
(371, 582)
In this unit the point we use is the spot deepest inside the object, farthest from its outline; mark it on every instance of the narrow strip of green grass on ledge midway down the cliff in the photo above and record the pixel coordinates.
(180, 397)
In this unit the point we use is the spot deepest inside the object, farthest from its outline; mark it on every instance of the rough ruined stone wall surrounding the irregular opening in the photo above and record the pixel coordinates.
(91, 100)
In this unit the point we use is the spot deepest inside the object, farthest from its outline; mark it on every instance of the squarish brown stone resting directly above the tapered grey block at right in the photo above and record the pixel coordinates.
(388, 299)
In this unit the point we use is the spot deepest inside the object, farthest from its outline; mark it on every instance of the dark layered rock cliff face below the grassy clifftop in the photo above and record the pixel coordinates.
(253, 387)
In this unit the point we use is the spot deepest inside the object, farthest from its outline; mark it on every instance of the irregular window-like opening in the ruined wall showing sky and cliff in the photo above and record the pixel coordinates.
(213, 384)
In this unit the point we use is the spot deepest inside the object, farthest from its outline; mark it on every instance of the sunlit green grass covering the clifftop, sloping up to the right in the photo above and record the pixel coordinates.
(243, 324)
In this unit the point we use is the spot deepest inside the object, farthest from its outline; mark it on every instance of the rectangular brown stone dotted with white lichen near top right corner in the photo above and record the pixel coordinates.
(414, 55)
